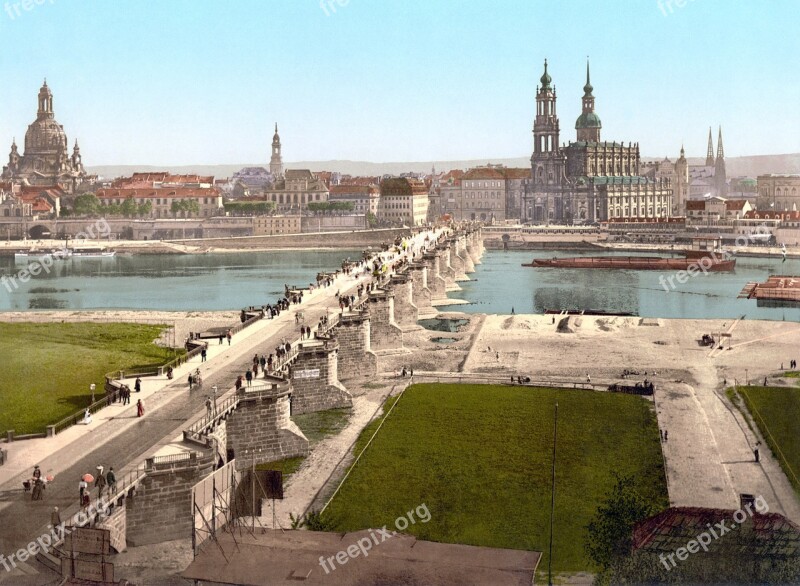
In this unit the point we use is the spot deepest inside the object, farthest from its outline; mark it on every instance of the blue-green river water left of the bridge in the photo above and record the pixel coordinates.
(167, 282)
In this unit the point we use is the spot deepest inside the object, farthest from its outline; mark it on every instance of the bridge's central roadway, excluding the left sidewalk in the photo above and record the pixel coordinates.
(166, 415)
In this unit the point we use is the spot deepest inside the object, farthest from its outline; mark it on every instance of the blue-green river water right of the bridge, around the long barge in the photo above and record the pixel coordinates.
(500, 283)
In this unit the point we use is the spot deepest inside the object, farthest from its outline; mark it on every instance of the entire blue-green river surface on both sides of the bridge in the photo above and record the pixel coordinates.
(228, 281)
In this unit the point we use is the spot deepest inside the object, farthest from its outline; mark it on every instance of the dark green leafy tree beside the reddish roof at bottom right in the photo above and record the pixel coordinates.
(609, 537)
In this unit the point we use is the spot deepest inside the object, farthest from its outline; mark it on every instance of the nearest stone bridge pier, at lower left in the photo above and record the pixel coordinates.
(161, 509)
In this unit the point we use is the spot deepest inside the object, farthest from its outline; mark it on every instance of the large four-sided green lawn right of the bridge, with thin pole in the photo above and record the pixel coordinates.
(480, 458)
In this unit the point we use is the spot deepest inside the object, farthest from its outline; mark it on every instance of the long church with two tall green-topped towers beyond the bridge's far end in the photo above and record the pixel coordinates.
(588, 180)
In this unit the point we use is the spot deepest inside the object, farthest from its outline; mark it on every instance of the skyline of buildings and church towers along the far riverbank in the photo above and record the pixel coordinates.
(585, 181)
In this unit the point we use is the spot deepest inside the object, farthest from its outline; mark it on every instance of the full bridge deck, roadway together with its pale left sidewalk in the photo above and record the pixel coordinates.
(118, 438)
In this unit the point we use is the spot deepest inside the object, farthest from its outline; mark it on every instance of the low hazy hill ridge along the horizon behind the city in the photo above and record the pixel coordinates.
(750, 166)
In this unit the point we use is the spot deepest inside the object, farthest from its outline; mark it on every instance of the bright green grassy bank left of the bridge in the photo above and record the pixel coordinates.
(47, 368)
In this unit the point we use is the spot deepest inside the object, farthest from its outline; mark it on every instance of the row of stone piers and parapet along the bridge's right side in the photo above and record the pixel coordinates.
(253, 424)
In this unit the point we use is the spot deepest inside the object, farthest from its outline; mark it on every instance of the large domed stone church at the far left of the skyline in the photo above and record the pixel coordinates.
(46, 160)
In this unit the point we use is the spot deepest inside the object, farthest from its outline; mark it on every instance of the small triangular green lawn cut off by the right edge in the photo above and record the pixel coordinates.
(776, 411)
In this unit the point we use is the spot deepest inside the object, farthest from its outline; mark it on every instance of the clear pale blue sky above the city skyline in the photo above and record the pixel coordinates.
(183, 82)
